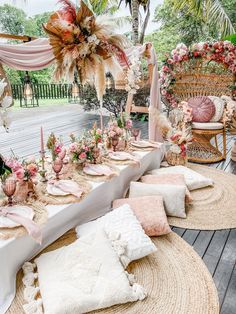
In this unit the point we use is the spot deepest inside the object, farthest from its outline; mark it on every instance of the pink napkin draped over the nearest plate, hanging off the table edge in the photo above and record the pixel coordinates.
(31, 227)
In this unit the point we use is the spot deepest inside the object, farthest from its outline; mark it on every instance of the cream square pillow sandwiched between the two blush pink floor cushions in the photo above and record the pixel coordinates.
(173, 196)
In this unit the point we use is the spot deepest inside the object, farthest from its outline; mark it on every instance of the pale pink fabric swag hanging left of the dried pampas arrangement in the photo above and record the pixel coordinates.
(31, 56)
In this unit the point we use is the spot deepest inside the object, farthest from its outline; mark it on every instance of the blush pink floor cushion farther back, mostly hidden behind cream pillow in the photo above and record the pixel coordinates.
(168, 178)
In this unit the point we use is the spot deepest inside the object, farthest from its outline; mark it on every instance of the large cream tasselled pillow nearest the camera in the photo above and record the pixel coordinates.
(81, 277)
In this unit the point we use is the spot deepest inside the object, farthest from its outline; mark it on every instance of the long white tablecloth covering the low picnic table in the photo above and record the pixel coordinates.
(14, 252)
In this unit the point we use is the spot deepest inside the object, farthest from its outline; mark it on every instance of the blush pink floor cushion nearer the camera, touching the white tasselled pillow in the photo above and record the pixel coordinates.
(150, 212)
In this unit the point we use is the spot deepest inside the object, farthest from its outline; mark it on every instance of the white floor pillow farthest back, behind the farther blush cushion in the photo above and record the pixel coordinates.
(193, 179)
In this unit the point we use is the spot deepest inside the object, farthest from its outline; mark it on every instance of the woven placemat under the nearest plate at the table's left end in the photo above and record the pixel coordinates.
(40, 218)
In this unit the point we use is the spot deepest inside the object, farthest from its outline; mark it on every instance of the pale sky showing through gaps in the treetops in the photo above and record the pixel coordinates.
(32, 7)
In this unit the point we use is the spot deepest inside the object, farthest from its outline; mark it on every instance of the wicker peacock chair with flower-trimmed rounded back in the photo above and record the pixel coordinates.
(204, 79)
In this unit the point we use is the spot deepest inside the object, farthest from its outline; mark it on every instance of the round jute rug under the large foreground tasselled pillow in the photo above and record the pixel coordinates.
(175, 278)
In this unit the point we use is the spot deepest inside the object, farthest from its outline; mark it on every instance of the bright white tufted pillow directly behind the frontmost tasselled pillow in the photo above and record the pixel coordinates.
(123, 221)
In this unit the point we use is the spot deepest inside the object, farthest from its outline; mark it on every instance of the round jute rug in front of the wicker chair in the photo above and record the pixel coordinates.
(213, 208)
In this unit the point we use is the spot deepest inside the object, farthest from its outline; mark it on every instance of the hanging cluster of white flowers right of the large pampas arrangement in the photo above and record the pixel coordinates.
(133, 76)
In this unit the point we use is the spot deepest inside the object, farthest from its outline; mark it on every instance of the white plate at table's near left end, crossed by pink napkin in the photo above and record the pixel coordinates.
(24, 211)
